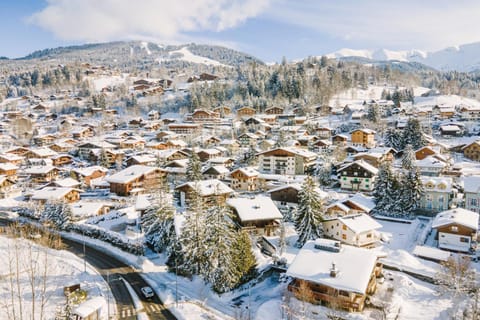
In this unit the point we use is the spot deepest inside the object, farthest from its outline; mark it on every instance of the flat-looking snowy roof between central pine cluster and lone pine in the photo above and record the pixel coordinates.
(257, 208)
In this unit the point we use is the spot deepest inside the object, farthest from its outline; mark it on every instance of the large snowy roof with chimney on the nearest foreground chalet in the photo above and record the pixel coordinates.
(354, 265)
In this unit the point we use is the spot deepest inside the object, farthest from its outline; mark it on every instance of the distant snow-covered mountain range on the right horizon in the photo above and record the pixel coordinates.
(462, 58)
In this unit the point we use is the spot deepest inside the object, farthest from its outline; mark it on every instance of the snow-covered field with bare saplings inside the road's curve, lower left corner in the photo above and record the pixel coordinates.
(26, 264)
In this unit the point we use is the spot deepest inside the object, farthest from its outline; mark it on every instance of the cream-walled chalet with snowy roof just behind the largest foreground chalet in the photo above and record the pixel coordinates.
(356, 230)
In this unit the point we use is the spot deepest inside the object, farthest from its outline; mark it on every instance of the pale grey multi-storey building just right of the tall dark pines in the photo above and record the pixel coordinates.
(437, 194)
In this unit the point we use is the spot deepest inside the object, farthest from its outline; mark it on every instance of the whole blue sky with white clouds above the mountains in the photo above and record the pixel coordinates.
(268, 29)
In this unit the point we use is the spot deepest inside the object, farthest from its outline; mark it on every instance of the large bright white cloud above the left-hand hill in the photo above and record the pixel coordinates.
(162, 20)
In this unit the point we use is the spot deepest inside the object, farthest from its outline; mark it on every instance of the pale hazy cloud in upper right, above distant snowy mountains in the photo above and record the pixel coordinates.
(429, 24)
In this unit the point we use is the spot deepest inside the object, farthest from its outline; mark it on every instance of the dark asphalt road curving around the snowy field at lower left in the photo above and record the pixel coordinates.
(113, 270)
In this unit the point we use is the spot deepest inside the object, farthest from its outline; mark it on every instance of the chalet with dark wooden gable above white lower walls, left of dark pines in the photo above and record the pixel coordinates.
(357, 176)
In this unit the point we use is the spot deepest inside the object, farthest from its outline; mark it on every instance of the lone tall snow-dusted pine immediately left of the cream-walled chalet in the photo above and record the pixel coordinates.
(308, 218)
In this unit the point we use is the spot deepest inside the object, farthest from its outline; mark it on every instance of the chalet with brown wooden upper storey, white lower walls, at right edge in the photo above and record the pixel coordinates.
(456, 229)
